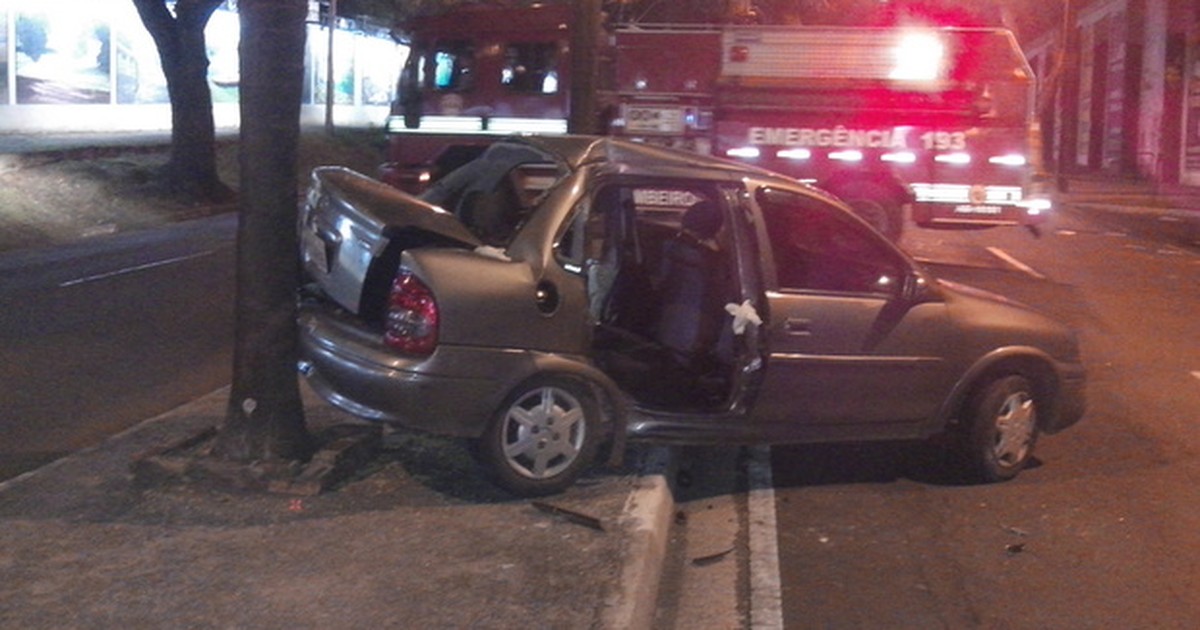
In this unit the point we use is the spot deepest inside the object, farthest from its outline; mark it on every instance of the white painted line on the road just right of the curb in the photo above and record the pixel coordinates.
(766, 592)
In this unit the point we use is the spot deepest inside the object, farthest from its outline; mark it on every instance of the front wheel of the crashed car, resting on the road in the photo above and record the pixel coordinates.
(1001, 430)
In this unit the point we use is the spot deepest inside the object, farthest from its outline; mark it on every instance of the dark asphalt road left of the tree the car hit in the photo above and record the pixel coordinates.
(100, 335)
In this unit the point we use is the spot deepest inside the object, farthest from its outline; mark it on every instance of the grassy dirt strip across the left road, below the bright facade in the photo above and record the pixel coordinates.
(65, 196)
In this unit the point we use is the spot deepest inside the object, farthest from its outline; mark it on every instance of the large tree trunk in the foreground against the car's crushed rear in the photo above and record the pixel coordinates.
(265, 419)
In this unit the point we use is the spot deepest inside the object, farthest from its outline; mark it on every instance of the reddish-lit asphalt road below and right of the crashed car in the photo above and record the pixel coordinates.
(1103, 532)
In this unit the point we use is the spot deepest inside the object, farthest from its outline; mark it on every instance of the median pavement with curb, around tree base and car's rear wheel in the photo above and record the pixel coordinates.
(419, 539)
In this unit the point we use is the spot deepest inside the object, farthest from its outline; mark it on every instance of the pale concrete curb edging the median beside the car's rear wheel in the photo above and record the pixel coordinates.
(646, 520)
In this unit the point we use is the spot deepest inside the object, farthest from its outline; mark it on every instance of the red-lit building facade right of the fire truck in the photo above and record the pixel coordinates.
(1123, 100)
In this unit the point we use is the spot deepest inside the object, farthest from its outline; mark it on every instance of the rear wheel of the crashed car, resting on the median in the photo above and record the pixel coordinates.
(542, 437)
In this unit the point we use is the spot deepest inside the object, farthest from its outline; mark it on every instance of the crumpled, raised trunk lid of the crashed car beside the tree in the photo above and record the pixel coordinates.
(353, 230)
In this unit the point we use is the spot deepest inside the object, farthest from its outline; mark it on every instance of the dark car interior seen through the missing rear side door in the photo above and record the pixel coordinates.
(659, 281)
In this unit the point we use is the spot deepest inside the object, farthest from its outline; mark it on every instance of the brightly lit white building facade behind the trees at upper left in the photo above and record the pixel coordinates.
(91, 65)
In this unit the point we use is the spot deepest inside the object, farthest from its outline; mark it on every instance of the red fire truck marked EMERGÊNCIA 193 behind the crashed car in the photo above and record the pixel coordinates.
(939, 121)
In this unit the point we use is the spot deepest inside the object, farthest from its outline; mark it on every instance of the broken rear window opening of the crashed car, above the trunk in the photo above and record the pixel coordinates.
(495, 194)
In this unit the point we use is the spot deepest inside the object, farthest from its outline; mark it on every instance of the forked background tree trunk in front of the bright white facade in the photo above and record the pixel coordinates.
(183, 53)
